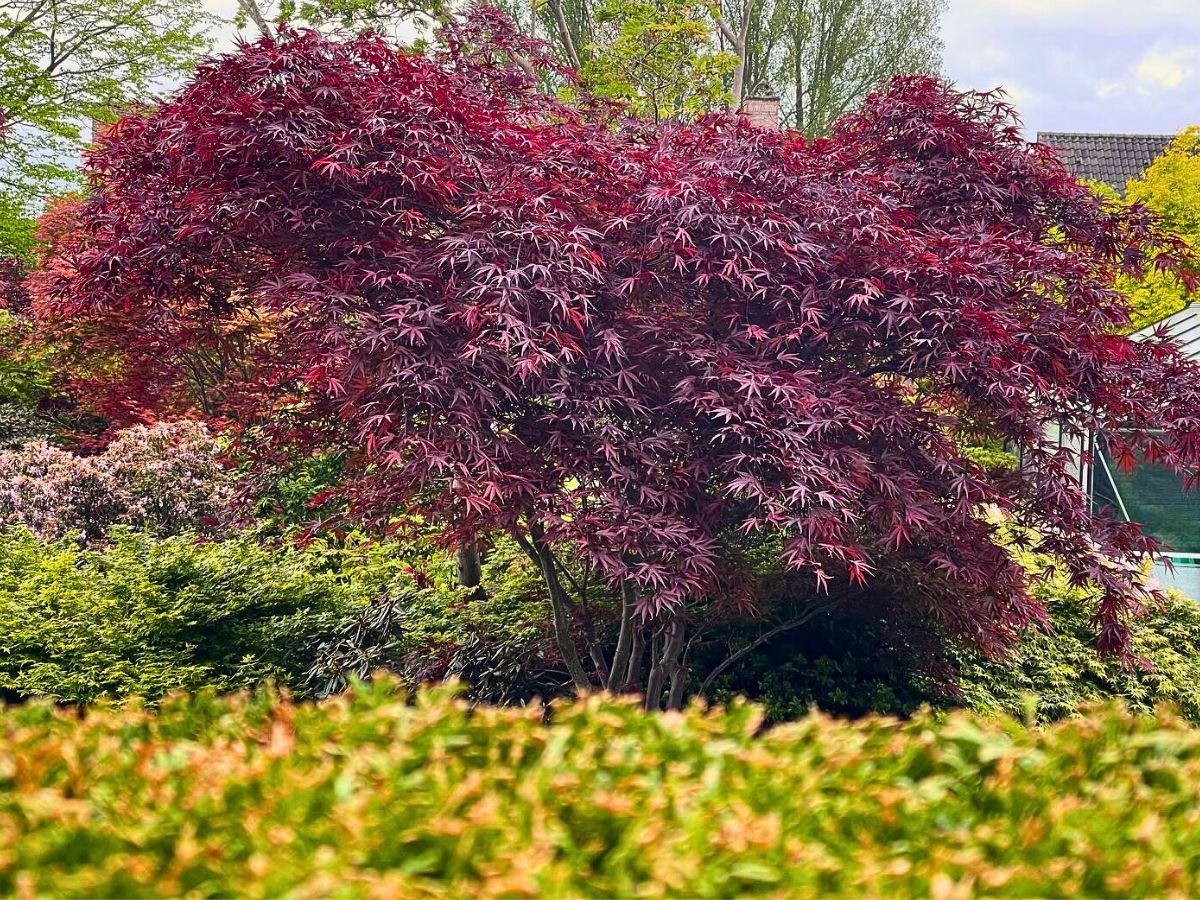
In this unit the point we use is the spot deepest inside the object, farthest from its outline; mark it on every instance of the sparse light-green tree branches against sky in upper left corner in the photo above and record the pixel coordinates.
(65, 64)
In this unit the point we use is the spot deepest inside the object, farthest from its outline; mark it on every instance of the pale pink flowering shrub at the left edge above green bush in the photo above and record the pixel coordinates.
(165, 478)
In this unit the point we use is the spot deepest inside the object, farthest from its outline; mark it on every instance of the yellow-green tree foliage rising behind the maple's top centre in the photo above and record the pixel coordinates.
(658, 57)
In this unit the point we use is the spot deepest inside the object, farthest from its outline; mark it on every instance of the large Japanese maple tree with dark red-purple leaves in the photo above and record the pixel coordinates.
(653, 356)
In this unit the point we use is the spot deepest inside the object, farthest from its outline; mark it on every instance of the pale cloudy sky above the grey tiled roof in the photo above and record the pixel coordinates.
(1067, 65)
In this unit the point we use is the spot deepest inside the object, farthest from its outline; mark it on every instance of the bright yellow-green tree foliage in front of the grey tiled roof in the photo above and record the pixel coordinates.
(1171, 188)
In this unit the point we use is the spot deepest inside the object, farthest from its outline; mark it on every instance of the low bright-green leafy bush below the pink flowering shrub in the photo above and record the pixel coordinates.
(146, 616)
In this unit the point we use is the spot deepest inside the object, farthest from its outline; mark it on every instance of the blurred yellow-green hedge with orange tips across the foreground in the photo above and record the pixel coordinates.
(382, 796)
